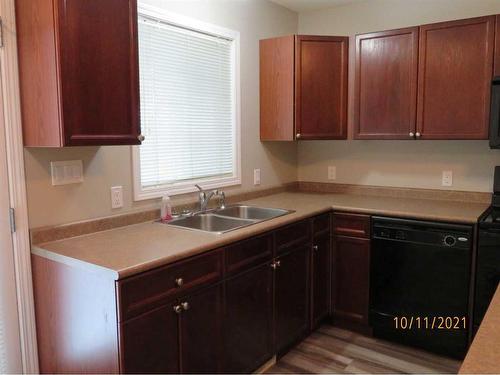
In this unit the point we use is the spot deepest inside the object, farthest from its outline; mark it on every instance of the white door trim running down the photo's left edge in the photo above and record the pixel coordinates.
(17, 184)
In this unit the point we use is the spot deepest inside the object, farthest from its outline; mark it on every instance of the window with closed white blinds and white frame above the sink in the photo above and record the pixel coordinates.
(189, 84)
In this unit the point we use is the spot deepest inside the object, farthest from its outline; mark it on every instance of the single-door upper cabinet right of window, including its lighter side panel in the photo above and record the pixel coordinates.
(303, 88)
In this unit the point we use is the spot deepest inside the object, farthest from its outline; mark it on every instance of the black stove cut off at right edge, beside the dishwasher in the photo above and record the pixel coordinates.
(488, 255)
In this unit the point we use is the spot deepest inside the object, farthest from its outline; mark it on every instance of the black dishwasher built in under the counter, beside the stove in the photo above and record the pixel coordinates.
(419, 284)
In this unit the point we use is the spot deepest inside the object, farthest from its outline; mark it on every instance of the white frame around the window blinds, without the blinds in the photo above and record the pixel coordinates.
(183, 187)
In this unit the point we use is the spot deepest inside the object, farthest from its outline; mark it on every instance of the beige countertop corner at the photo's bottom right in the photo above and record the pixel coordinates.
(483, 356)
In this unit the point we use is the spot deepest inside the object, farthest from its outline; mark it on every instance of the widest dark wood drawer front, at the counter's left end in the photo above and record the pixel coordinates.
(148, 290)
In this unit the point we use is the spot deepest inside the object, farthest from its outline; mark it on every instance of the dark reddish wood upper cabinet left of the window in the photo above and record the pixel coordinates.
(79, 79)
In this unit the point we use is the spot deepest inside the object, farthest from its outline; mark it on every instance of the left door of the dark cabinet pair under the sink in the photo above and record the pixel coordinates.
(248, 320)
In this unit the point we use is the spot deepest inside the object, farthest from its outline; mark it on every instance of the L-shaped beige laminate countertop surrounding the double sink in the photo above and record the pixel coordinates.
(125, 251)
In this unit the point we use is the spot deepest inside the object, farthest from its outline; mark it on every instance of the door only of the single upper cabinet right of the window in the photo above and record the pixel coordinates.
(321, 87)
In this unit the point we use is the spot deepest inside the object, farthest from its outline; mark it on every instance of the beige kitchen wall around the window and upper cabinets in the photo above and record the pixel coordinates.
(386, 163)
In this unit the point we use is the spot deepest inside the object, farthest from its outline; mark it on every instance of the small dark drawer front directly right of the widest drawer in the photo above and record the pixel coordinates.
(246, 254)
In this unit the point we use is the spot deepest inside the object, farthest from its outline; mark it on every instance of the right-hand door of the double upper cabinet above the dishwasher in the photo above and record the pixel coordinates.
(454, 78)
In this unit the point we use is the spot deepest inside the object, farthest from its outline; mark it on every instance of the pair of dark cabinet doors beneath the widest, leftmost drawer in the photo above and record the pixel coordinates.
(166, 341)
